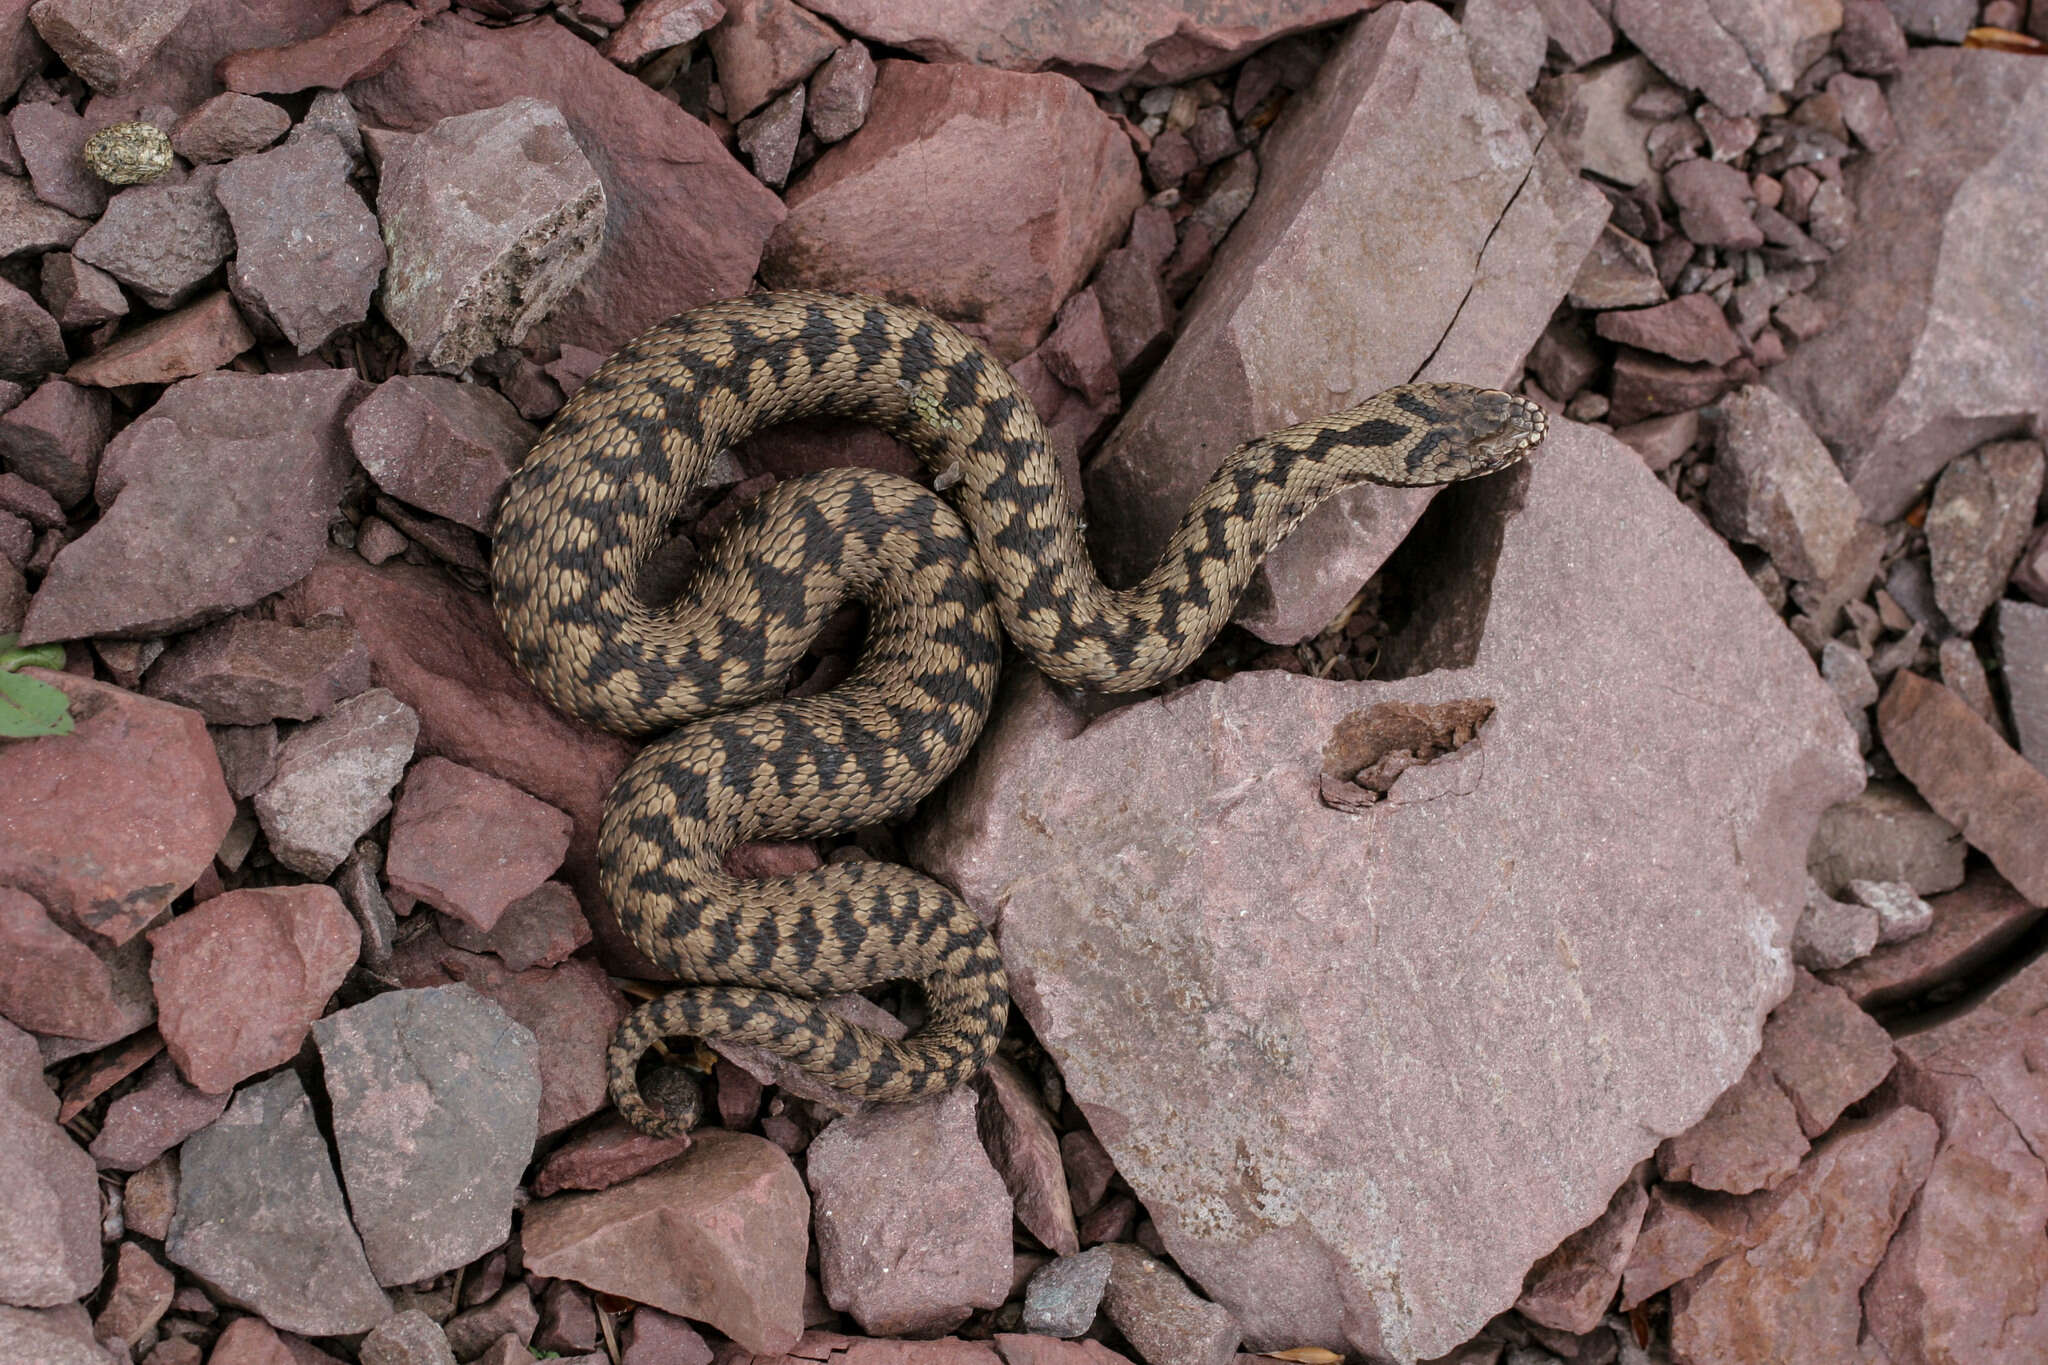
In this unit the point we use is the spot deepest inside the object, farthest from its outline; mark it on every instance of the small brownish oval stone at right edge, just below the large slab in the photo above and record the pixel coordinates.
(1977, 525)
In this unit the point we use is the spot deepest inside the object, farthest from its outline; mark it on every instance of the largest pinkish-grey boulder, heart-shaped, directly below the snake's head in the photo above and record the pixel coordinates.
(1617, 912)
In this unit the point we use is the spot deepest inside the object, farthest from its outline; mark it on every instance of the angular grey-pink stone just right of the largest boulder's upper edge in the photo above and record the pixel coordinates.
(1777, 486)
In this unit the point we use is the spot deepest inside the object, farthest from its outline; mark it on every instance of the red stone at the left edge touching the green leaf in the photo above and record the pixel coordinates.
(140, 779)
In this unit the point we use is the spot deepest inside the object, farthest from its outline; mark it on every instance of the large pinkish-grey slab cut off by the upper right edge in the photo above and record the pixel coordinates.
(1940, 331)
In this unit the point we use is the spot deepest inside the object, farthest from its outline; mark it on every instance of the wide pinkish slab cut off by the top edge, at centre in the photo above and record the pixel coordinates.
(1148, 44)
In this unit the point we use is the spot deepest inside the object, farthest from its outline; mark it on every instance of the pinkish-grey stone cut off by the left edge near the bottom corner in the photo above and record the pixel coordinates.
(52, 1219)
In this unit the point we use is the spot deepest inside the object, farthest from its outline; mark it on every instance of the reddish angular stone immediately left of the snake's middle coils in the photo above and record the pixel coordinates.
(472, 844)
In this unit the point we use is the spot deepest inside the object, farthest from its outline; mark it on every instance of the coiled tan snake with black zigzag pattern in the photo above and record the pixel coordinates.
(703, 672)
